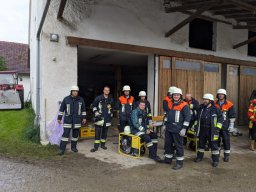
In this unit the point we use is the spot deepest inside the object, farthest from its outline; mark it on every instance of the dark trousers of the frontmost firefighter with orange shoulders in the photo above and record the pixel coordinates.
(170, 139)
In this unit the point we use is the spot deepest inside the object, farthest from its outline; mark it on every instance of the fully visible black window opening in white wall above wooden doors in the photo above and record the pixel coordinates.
(201, 34)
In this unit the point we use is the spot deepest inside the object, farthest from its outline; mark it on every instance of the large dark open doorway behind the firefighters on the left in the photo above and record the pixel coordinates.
(100, 67)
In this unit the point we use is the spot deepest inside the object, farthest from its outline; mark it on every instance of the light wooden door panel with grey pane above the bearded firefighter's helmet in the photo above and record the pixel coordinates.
(212, 77)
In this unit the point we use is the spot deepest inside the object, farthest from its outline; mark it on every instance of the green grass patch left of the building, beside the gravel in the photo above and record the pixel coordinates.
(18, 137)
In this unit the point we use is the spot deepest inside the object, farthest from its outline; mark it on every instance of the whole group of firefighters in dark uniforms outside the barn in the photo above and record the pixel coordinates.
(212, 121)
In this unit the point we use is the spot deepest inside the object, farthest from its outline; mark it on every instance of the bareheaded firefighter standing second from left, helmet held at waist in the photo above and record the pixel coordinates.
(103, 113)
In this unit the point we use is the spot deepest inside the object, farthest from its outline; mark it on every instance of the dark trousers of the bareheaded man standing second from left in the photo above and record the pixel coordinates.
(101, 133)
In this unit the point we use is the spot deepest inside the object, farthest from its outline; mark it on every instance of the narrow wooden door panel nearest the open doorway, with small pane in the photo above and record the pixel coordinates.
(164, 80)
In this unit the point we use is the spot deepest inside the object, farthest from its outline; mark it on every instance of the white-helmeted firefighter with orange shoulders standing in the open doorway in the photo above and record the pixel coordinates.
(125, 105)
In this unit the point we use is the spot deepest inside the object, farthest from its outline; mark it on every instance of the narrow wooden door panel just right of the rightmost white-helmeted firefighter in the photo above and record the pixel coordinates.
(233, 85)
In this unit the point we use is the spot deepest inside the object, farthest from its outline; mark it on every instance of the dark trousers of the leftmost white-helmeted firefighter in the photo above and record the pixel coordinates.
(65, 137)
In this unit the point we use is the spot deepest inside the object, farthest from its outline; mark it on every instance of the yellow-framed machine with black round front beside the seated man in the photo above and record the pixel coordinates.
(131, 145)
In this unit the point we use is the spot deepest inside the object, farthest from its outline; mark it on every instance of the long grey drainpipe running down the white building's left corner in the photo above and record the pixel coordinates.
(38, 76)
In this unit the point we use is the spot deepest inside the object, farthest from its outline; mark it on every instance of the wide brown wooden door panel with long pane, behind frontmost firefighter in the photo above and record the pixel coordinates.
(187, 75)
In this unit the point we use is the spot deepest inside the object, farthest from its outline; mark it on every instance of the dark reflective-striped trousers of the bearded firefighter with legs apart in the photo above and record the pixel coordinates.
(203, 138)
